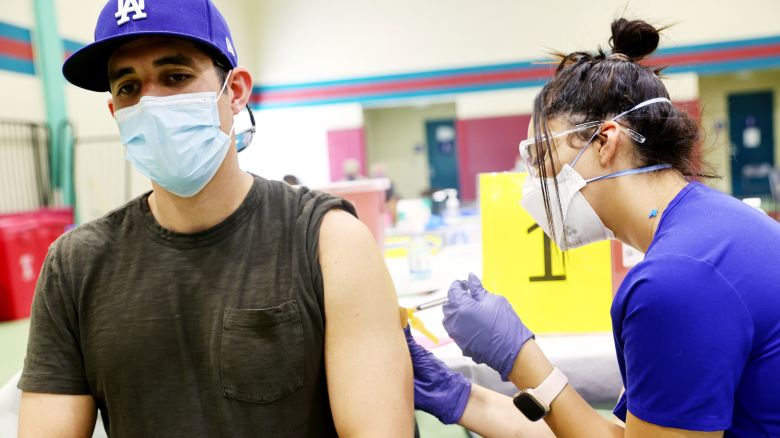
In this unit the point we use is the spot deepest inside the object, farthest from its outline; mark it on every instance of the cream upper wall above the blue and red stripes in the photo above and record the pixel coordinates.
(306, 40)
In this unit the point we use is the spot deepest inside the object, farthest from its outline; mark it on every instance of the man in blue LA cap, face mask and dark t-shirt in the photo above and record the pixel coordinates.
(219, 303)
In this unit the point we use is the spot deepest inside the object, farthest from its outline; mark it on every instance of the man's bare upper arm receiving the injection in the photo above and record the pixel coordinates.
(367, 362)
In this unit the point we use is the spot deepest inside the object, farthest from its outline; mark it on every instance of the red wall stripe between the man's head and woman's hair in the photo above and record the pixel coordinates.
(409, 85)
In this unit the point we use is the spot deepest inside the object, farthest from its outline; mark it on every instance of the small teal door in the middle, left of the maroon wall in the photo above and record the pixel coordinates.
(442, 156)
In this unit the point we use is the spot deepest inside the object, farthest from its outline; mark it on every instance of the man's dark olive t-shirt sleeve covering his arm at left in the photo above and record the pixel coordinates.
(54, 362)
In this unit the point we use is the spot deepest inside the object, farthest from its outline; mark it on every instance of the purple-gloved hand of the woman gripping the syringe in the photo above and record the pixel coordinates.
(484, 325)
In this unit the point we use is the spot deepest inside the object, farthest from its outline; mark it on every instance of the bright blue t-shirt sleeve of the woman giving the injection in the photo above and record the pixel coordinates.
(686, 337)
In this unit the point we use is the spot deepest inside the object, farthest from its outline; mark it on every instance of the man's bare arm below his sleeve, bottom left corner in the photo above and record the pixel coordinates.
(56, 415)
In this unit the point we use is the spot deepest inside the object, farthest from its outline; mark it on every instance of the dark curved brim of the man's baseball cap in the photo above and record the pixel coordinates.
(87, 67)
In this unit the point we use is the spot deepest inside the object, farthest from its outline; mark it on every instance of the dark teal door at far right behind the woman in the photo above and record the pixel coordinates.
(752, 138)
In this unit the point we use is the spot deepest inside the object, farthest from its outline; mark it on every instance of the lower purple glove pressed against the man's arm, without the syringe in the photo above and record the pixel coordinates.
(438, 390)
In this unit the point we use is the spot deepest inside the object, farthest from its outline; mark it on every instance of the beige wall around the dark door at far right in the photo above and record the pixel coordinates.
(714, 91)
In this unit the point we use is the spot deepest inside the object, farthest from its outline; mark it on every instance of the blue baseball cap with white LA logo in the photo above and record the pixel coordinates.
(123, 20)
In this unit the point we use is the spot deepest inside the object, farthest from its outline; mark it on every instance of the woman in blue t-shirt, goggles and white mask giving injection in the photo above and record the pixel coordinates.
(695, 324)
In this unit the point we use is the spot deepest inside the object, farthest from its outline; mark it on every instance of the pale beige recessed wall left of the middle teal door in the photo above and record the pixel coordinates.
(392, 134)
